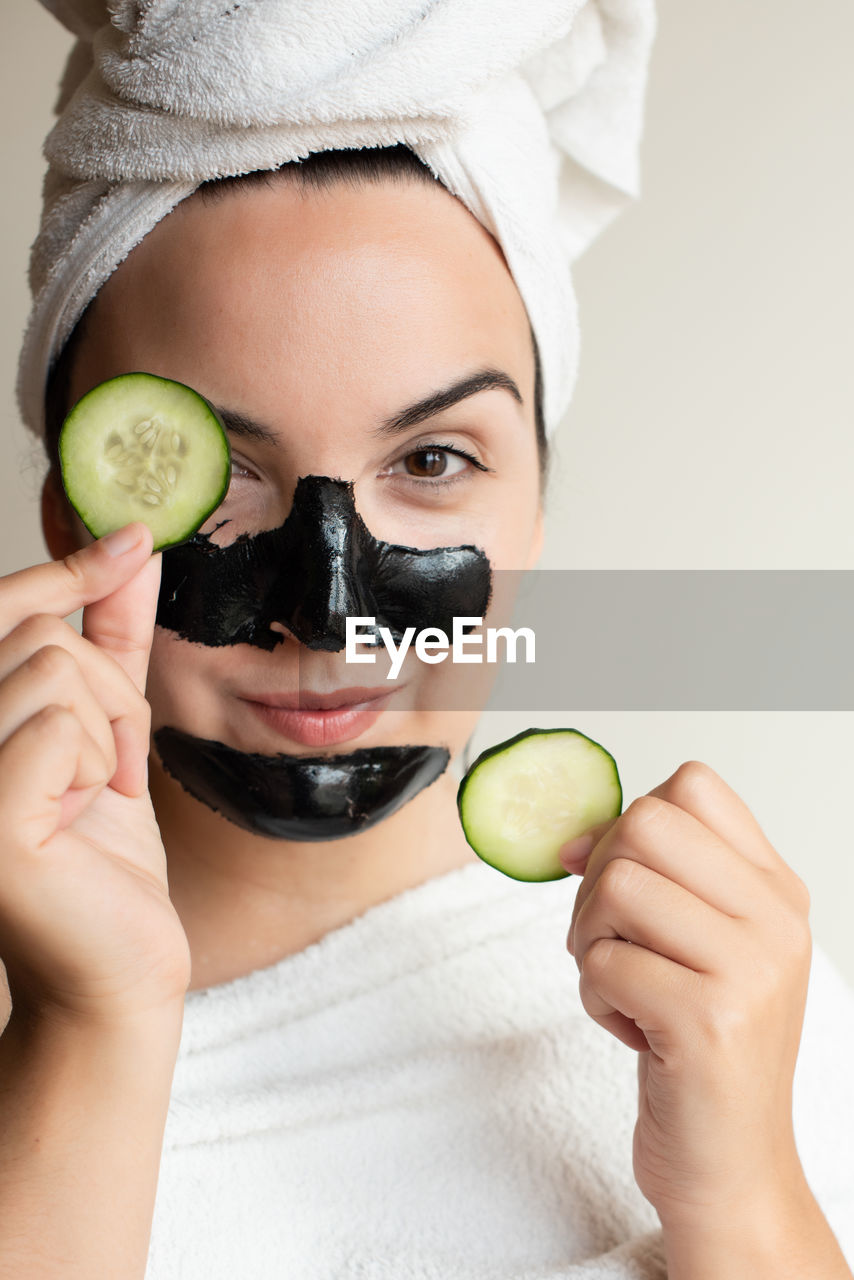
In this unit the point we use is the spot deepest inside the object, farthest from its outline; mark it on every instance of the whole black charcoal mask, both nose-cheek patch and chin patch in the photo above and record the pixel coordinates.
(312, 574)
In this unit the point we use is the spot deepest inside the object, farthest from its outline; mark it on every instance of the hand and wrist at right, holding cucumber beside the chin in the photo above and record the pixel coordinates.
(692, 939)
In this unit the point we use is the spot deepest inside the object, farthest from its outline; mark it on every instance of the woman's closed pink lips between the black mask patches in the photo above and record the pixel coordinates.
(321, 720)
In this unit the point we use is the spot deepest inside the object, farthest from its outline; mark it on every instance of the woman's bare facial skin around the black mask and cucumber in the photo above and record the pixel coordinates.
(314, 322)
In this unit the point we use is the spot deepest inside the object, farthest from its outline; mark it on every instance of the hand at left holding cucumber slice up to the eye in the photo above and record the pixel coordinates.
(88, 930)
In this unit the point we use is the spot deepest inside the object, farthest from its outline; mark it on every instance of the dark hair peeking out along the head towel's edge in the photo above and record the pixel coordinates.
(319, 172)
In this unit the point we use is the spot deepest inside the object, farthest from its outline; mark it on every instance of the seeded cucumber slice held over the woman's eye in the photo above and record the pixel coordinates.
(141, 447)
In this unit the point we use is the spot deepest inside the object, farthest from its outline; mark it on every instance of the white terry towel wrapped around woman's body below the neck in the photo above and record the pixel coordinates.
(421, 1096)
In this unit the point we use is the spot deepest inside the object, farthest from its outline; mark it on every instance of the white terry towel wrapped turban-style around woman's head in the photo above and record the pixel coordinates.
(529, 113)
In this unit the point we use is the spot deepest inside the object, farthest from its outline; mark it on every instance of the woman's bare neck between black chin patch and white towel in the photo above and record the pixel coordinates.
(246, 902)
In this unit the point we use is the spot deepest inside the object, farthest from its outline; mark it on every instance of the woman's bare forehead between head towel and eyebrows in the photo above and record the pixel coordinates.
(378, 292)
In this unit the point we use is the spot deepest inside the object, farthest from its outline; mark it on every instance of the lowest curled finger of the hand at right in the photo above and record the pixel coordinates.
(643, 988)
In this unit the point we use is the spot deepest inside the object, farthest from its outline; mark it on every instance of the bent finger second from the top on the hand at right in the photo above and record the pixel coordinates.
(677, 845)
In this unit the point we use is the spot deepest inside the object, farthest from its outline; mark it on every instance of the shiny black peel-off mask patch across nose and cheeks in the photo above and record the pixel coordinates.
(322, 566)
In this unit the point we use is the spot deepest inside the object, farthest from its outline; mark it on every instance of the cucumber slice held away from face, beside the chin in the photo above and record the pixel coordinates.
(526, 798)
